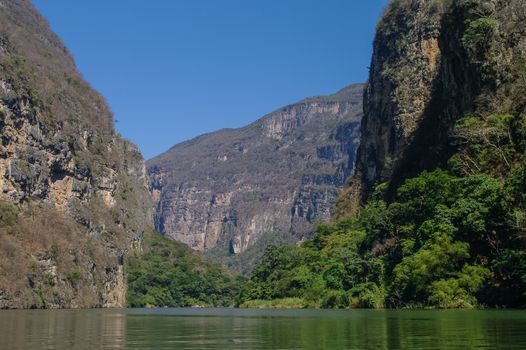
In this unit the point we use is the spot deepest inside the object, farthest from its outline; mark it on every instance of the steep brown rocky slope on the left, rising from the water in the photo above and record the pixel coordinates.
(73, 194)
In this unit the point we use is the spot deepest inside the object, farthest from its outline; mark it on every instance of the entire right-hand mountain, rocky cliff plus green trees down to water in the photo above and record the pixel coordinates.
(435, 215)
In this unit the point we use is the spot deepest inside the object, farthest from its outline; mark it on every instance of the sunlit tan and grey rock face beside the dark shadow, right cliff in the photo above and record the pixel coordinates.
(405, 62)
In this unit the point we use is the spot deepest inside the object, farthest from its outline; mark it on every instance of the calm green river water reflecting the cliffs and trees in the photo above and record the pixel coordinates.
(261, 329)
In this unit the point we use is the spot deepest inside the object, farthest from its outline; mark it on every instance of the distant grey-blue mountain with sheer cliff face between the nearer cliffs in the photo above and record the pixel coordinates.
(279, 174)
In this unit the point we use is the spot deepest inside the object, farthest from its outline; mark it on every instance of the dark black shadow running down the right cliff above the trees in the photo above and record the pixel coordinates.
(454, 93)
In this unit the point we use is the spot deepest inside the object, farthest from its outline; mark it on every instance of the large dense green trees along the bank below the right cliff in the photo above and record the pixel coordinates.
(445, 241)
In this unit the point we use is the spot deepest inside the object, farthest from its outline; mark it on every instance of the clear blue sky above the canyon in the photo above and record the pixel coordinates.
(174, 69)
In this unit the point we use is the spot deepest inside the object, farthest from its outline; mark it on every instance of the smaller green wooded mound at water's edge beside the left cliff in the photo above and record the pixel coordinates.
(168, 273)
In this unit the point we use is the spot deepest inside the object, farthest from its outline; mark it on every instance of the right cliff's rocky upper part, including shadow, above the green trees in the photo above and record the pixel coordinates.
(433, 63)
